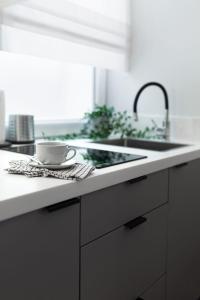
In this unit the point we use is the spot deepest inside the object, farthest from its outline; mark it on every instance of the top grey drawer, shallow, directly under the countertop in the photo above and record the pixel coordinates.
(105, 210)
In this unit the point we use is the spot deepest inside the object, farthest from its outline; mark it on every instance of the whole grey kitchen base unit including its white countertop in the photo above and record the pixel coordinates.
(127, 232)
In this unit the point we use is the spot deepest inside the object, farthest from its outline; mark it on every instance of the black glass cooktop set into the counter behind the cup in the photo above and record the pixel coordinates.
(98, 158)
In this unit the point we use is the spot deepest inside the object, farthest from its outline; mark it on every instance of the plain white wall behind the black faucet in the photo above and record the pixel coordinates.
(165, 48)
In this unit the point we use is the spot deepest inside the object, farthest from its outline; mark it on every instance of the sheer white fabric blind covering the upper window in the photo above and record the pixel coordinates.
(95, 32)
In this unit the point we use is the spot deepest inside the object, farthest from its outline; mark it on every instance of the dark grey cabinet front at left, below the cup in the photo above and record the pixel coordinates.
(39, 255)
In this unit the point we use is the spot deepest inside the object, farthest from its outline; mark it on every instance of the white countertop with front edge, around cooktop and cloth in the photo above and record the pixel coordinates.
(19, 194)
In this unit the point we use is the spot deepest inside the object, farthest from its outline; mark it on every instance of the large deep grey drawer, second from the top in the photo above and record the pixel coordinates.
(125, 262)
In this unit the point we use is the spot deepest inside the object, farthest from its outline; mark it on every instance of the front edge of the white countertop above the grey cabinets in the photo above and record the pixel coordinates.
(12, 207)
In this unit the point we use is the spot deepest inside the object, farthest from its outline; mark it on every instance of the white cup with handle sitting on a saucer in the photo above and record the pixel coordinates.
(53, 153)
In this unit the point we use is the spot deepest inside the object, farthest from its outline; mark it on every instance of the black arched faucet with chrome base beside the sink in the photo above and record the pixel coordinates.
(166, 123)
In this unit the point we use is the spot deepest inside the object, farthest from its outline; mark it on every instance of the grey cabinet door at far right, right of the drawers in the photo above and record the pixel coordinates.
(183, 281)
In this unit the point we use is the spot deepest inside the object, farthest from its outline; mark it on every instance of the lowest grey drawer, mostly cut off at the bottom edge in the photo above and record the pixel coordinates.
(156, 292)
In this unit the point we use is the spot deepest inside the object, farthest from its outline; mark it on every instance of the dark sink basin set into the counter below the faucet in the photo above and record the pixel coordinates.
(141, 144)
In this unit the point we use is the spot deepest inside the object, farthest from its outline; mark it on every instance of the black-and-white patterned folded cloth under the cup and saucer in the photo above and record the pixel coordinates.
(75, 172)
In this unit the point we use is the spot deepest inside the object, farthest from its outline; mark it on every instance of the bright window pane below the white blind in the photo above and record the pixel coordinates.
(50, 90)
